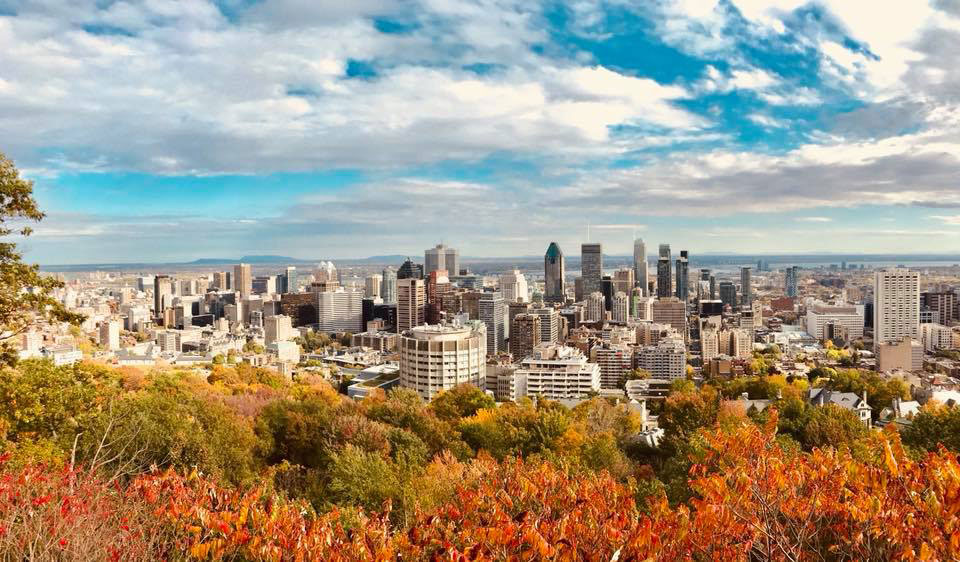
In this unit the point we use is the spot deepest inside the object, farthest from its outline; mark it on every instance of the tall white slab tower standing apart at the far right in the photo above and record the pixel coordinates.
(896, 306)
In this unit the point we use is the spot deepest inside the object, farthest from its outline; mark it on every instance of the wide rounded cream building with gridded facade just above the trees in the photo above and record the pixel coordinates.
(437, 358)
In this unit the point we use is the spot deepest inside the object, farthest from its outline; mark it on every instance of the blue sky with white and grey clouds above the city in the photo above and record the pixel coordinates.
(168, 130)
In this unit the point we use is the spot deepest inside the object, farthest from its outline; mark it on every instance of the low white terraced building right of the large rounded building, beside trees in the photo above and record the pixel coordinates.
(558, 372)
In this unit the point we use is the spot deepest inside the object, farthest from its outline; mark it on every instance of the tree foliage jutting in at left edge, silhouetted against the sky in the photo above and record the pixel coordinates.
(25, 294)
